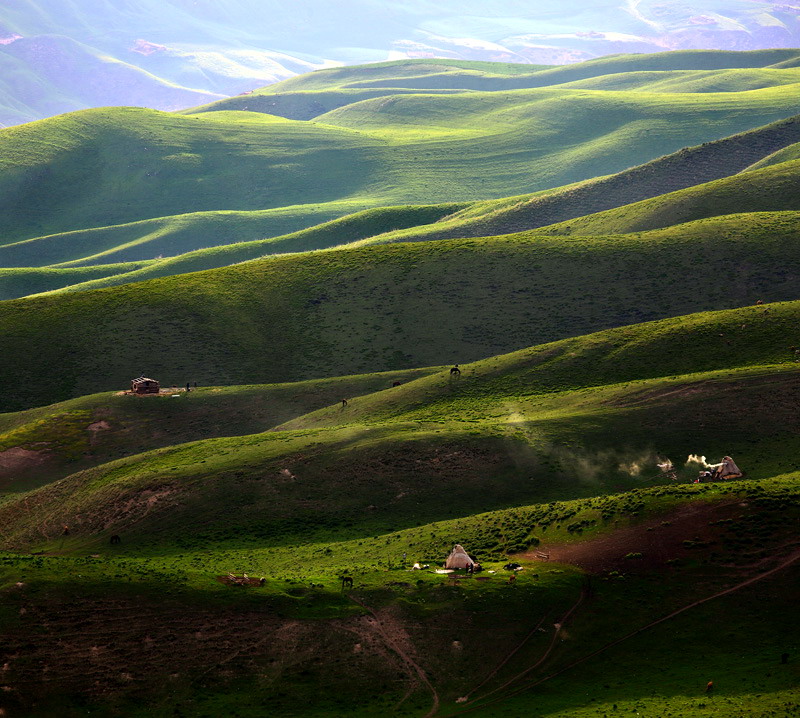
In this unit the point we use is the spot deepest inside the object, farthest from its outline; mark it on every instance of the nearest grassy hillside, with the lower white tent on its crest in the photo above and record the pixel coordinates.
(318, 636)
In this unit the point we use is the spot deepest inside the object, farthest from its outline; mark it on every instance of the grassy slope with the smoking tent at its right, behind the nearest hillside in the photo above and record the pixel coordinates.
(577, 417)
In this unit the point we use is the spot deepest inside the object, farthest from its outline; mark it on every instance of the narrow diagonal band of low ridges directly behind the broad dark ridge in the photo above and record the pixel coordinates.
(151, 238)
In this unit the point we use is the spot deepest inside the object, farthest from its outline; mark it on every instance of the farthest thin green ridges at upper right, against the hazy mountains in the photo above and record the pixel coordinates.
(343, 84)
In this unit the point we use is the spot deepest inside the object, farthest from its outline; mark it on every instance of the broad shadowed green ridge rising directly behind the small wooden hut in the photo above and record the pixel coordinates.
(385, 307)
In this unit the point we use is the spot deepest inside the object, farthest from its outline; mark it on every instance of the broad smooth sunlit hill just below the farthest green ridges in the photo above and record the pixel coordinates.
(114, 166)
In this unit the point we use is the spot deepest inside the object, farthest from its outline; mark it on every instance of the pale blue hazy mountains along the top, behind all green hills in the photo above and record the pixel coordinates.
(57, 56)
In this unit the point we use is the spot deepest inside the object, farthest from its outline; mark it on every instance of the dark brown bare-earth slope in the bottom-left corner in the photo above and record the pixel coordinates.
(157, 651)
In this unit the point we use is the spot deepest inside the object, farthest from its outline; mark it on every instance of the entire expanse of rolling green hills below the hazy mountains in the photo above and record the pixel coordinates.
(394, 308)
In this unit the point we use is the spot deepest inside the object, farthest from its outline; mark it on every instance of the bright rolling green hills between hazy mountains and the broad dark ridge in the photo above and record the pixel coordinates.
(239, 179)
